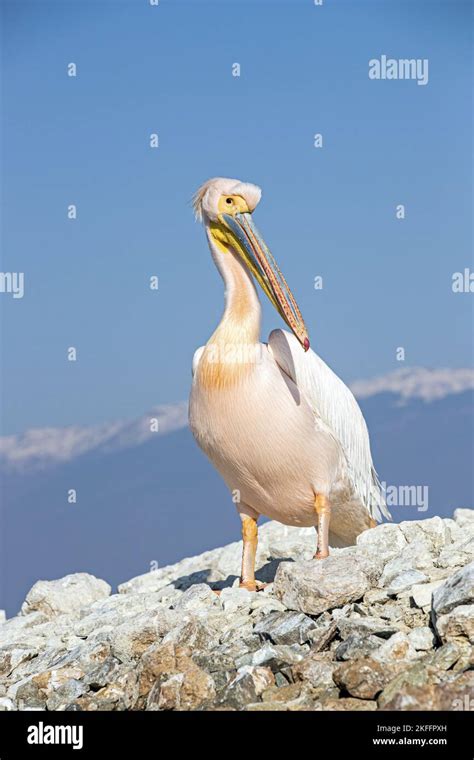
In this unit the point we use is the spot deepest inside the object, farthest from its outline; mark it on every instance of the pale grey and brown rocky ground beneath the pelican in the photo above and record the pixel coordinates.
(384, 625)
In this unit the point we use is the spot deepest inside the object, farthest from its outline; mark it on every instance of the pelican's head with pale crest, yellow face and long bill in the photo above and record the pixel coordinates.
(226, 206)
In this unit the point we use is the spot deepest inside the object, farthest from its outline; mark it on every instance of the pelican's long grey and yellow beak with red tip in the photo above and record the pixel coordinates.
(250, 246)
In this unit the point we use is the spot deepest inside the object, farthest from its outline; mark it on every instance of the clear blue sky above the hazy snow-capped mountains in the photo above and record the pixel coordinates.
(329, 211)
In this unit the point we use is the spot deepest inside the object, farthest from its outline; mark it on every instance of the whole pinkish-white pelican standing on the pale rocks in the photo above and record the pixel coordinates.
(282, 429)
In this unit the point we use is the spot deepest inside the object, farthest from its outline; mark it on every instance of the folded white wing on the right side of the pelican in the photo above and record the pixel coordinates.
(334, 403)
